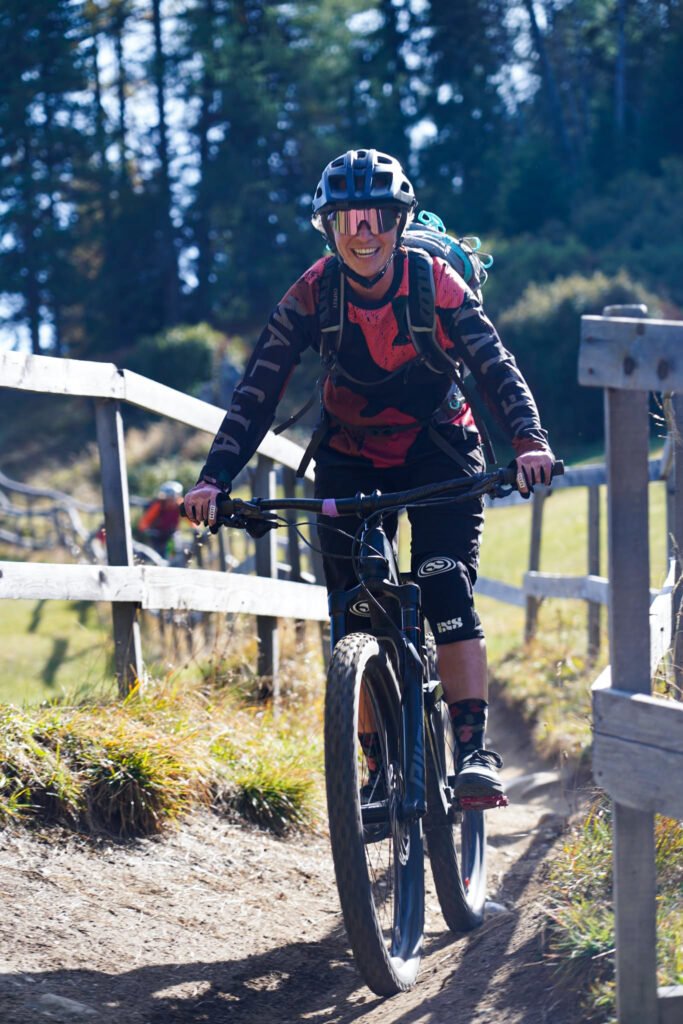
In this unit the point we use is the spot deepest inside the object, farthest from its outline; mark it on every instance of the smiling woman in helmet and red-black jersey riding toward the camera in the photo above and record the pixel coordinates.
(391, 422)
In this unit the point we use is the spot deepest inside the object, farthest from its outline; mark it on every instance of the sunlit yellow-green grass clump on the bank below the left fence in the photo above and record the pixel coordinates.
(132, 769)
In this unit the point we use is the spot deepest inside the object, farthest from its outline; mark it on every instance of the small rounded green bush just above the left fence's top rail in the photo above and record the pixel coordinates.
(183, 358)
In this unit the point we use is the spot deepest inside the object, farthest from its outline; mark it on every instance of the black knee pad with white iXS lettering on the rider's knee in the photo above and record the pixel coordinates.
(448, 600)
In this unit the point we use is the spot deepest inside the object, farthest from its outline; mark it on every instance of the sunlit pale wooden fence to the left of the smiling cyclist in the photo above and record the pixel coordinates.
(131, 587)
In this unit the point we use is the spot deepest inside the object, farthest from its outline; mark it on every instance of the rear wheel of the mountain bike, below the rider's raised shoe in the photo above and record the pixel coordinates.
(456, 840)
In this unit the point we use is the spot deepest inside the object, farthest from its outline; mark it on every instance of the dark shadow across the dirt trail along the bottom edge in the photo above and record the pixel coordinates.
(310, 982)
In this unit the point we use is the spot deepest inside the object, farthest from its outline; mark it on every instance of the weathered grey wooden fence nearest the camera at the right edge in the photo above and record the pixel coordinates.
(638, 738)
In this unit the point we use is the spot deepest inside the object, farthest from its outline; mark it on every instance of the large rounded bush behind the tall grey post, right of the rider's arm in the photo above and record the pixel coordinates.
(543, 330)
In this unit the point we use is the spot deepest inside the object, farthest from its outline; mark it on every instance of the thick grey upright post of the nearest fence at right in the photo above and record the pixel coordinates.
(635, 878)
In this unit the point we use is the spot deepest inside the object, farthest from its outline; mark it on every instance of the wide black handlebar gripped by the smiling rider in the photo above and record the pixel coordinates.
(236, 511)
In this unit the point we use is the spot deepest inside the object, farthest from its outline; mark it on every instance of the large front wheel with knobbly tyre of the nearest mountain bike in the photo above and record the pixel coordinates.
(378, 858)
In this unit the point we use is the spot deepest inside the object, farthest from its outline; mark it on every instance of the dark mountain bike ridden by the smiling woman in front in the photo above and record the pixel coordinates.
(383, 684)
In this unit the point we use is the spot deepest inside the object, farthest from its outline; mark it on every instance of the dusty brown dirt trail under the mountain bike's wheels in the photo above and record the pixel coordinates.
(221, 923)
